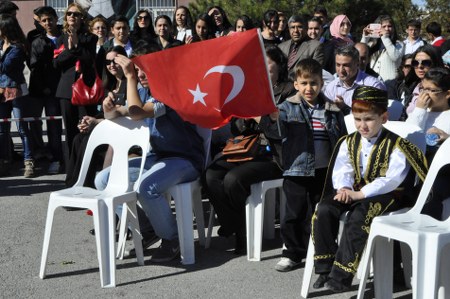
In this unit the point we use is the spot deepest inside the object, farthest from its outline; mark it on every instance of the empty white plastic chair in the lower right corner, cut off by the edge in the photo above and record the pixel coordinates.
(426, 237)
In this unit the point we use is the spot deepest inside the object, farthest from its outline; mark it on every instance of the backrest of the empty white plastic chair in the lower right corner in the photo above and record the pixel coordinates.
(441, 159)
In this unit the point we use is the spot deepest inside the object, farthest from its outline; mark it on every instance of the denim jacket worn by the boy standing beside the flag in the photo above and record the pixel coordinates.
(298, 153)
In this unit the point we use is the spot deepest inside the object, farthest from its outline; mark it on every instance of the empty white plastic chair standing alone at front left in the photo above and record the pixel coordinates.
(121, 134)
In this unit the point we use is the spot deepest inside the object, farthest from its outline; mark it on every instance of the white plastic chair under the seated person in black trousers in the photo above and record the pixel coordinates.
(256, 213)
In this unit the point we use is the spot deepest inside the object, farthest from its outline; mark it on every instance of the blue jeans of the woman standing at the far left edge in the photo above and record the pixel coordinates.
(16, 106)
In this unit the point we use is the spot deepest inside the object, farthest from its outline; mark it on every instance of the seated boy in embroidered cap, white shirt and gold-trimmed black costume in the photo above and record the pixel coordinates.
(368, 168)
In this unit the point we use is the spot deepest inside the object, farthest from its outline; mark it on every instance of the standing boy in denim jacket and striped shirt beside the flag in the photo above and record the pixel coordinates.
(311, 125)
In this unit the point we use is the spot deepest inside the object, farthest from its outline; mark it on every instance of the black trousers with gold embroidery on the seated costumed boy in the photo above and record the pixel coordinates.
(342, 260)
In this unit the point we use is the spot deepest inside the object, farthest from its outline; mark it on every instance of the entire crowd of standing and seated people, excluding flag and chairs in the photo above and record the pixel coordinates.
(319, 74)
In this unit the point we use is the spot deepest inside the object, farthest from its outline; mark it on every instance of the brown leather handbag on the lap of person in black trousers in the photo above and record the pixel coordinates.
(241, 148)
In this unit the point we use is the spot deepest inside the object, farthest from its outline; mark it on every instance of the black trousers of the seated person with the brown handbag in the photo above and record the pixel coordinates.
(228, 186)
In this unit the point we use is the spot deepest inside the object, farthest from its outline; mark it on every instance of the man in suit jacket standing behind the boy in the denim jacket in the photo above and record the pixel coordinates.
(300, 46)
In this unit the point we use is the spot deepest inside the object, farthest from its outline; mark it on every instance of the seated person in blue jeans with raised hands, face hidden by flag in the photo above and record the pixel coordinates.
(177, 156)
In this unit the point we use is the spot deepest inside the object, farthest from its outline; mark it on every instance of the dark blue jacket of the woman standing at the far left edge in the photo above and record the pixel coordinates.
(12, 64)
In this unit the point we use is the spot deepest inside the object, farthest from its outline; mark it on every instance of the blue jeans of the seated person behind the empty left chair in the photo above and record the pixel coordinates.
(159, 175)
